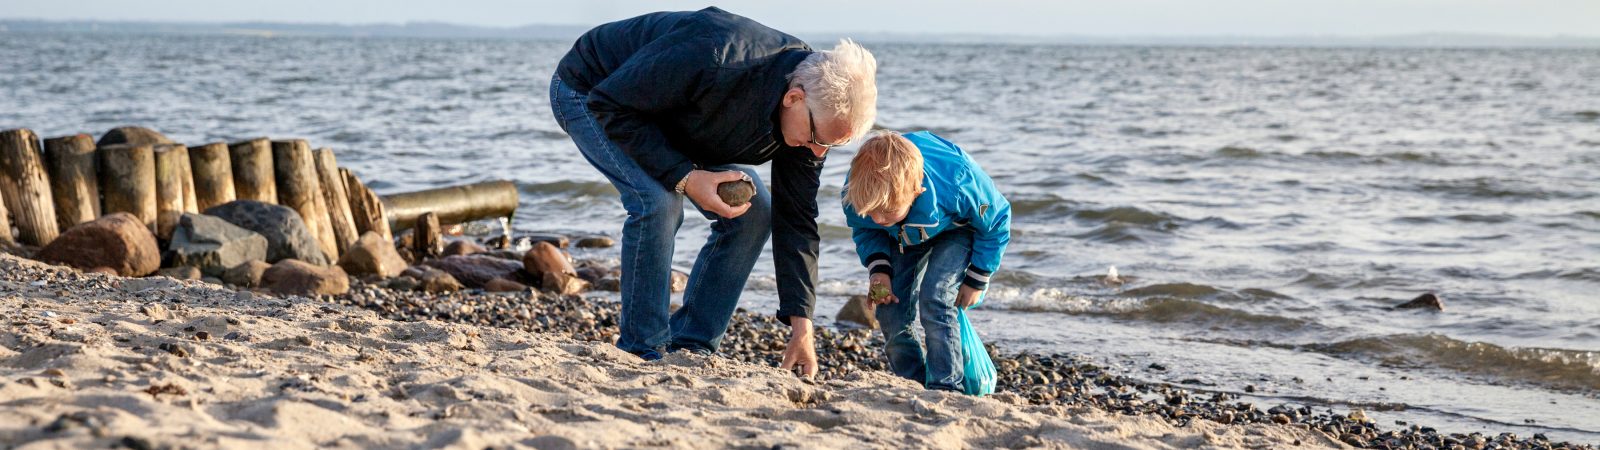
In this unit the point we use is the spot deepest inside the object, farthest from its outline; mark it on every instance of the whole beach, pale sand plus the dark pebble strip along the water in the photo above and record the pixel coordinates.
(332, 360)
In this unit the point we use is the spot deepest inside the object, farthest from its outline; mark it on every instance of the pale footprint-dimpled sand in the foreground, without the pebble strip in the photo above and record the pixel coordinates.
(90, 361)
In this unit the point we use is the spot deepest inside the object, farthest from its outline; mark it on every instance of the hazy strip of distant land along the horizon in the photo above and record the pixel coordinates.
(569, 33)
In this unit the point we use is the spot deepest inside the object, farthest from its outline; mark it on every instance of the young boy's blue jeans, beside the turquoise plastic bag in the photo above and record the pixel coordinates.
(926, 281)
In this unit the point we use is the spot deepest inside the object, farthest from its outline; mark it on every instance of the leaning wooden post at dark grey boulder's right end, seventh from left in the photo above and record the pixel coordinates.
(302, 191)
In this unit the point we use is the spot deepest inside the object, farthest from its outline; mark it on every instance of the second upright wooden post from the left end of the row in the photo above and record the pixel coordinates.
(73, 179)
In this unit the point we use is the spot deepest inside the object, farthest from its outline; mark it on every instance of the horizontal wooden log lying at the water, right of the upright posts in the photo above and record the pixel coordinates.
(454, 206)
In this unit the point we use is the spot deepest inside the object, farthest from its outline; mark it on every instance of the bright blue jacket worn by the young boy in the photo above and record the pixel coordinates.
(958, 193)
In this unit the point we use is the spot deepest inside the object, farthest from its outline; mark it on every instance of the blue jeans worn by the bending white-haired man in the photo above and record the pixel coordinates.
(654, 219)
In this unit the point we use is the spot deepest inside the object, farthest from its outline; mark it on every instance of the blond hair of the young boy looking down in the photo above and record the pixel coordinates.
(886, 175)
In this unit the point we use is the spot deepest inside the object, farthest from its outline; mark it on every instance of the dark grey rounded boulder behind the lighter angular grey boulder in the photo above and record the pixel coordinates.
(286, 231)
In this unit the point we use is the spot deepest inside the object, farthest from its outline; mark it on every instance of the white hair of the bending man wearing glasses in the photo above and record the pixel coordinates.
(842, 84)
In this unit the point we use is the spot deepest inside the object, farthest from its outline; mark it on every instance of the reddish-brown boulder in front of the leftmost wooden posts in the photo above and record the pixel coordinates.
(118, 241)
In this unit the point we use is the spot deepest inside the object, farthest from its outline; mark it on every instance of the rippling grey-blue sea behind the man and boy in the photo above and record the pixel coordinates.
(1265, 207)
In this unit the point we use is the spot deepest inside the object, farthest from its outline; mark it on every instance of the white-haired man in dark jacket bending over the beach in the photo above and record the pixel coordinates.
(673, 105)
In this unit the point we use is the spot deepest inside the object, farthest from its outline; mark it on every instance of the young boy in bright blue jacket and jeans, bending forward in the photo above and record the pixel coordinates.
(930, 228)
